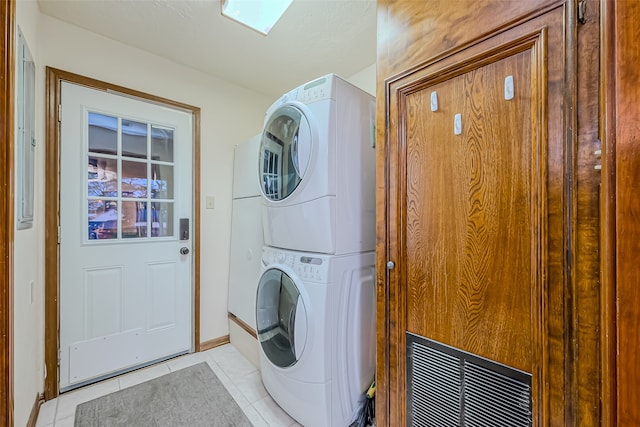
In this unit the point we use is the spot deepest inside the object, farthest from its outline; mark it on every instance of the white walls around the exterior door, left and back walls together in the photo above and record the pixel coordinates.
(229, 115)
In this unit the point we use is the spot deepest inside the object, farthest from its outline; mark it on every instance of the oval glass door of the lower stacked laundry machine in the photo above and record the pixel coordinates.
(281, 318)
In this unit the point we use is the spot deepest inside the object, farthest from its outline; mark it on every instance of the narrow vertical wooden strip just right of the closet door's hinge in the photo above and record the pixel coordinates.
(586, 397)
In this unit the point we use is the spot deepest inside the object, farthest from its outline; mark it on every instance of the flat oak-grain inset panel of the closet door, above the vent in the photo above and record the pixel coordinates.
(469, 223)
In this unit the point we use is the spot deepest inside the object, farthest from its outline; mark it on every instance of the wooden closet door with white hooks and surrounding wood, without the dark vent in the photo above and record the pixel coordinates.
(477, 197)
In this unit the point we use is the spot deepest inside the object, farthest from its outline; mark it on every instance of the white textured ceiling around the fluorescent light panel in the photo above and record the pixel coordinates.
(314, 37)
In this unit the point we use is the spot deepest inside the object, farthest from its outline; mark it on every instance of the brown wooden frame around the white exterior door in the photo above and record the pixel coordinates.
(54, 79)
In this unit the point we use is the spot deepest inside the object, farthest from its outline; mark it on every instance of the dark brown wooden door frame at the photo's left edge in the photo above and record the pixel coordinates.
(7, 10)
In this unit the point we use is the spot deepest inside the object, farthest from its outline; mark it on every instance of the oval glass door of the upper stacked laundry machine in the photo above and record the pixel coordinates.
(285, 149)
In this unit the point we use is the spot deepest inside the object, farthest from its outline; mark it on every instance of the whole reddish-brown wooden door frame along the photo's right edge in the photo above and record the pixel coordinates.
(620, 165)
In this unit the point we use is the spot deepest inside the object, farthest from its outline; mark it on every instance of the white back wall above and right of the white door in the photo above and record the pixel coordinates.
(229, 115)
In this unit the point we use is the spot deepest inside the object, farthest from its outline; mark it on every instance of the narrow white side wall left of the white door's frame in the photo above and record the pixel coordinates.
(28, 310)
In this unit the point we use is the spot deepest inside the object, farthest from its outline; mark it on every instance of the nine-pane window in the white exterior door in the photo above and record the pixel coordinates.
(130, 179)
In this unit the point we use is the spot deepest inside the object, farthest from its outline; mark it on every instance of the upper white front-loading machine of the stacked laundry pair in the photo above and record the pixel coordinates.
(317, 169)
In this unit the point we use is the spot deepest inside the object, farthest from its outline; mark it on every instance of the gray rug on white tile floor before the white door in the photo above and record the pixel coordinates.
(192, 397)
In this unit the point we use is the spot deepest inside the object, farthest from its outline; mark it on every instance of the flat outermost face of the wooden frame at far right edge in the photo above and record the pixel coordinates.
(627, 154)
